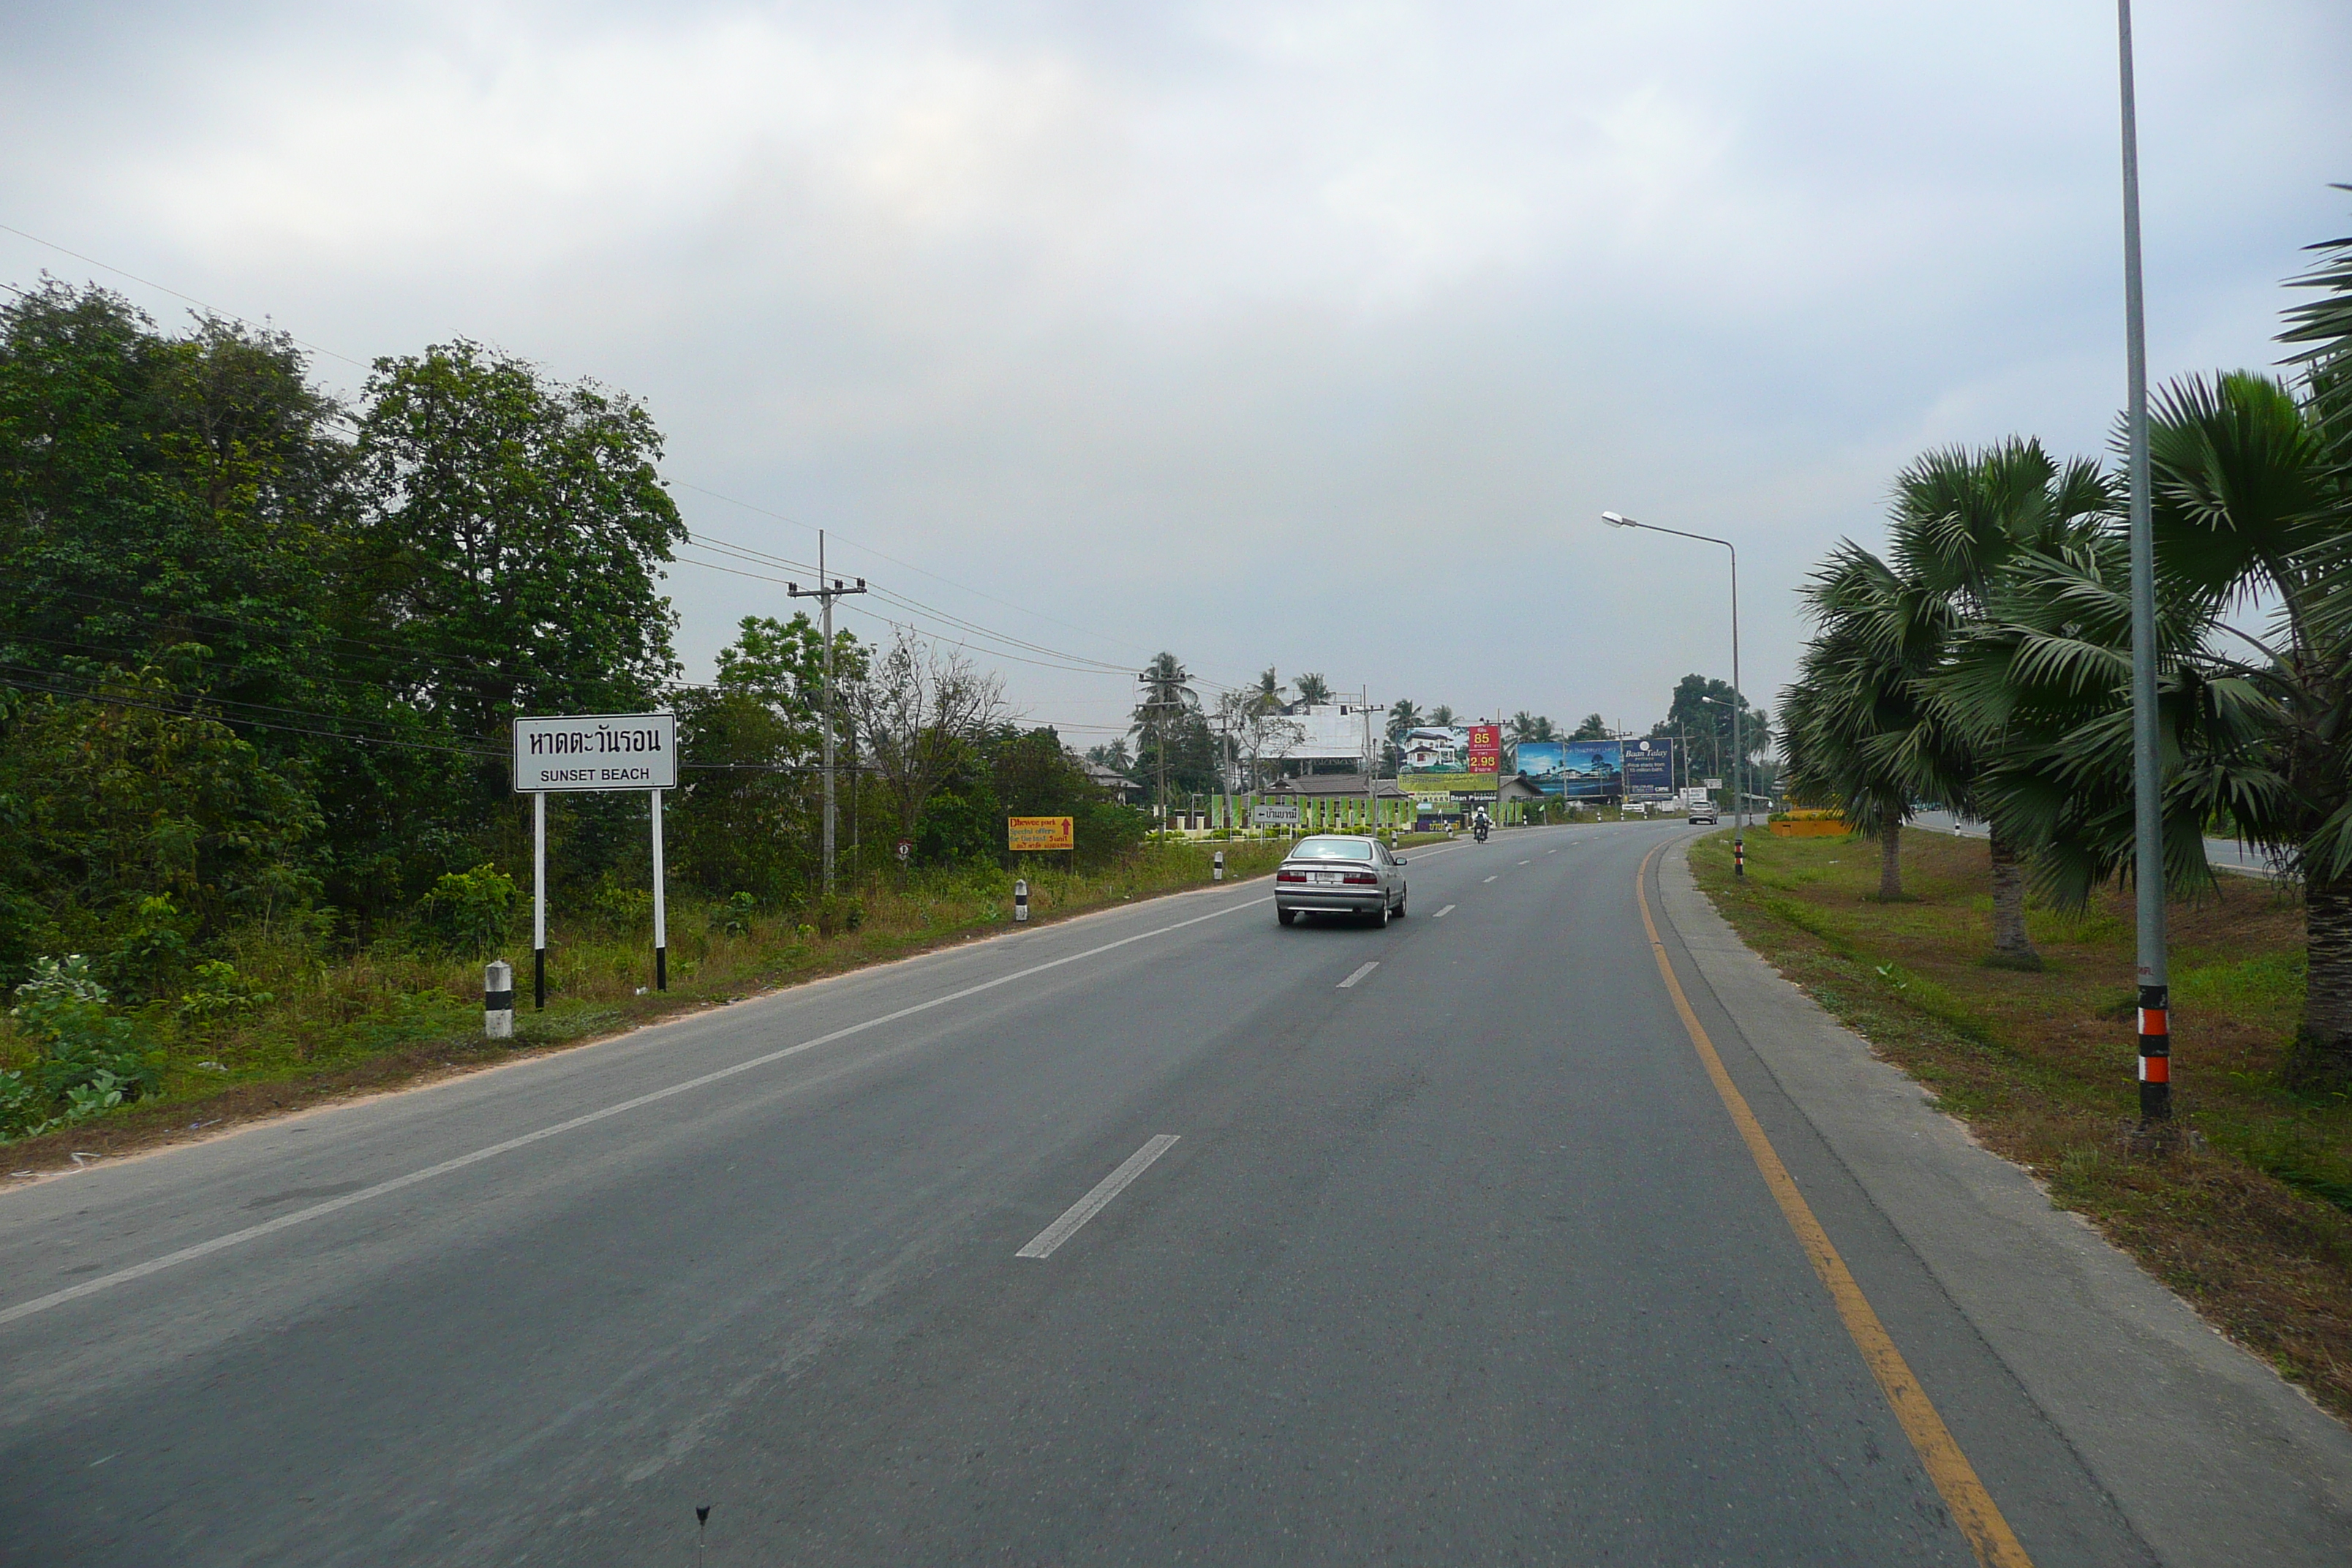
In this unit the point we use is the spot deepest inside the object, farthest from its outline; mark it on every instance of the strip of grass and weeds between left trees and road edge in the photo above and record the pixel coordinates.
(269, 1026)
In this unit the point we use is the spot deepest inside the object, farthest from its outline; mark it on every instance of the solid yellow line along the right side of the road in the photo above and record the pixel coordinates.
(1939, 1454)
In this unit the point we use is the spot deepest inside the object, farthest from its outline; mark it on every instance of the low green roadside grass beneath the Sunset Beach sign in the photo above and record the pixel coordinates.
(394, 1014)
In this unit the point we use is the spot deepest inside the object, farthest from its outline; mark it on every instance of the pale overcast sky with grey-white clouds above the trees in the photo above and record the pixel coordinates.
(1271, 335)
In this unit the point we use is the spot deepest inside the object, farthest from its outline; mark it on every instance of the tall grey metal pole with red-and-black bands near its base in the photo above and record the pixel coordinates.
(2146, 772)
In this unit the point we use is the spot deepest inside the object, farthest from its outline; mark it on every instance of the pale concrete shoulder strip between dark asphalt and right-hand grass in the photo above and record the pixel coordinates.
(2207, 1452)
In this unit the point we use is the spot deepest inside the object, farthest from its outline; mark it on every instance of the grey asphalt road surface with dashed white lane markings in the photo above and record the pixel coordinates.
(1462, 1261)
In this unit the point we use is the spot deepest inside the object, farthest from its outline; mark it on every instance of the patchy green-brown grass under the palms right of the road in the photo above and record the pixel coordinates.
(2250, 1221)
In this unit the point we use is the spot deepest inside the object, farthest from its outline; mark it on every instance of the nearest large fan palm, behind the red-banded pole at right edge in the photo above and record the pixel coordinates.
(2252, 492)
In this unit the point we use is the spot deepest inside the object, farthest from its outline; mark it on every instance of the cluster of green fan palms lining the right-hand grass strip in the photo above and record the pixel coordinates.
(1984, 662)
